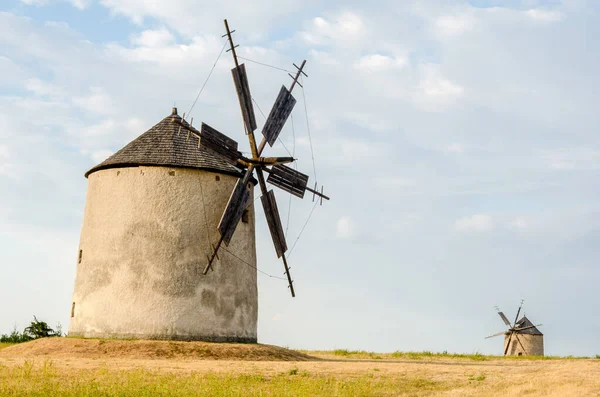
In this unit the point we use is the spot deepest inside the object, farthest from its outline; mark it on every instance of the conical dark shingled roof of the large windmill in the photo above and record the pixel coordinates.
(168, 145)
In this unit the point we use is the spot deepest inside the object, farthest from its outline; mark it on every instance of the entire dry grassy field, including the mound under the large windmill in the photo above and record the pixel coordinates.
(73, 367)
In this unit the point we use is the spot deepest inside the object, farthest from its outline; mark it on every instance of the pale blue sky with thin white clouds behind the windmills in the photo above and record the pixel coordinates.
(457, 139)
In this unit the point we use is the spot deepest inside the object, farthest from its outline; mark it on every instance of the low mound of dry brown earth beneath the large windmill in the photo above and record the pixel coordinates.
(145, 349)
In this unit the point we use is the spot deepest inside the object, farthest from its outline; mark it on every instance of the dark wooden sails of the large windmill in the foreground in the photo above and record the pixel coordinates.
(280, 175)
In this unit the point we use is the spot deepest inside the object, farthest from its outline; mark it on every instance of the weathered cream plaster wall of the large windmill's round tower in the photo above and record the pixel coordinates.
(143, 247)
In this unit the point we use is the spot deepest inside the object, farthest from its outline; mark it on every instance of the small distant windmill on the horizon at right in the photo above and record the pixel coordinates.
(529, 340)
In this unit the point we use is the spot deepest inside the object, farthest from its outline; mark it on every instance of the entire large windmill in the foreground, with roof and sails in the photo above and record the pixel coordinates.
(163, 211)
